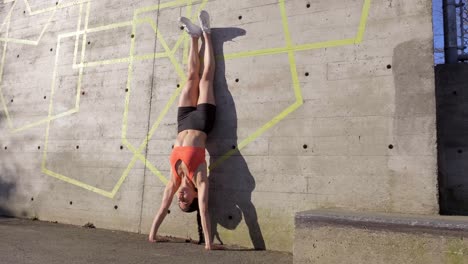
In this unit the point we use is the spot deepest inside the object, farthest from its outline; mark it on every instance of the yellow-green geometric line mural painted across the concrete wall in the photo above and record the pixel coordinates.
(290, 49)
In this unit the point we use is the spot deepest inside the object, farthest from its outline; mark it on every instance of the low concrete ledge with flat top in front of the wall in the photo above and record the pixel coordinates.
(343, 237)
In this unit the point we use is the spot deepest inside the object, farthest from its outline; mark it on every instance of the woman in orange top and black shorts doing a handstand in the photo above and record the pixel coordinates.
(195, 119)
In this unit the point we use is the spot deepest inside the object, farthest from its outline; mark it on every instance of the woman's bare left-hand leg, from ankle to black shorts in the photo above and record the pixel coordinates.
(189, 94)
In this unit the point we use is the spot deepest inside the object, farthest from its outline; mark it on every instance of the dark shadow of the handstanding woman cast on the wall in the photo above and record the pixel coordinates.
(231, 183)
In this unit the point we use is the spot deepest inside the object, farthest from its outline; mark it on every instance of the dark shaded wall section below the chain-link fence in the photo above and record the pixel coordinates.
(452, 137)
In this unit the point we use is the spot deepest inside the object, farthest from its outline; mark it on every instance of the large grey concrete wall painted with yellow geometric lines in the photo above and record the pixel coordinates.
(331, 104)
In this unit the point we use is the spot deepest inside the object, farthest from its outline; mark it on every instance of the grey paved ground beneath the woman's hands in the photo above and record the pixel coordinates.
(27, 241)
